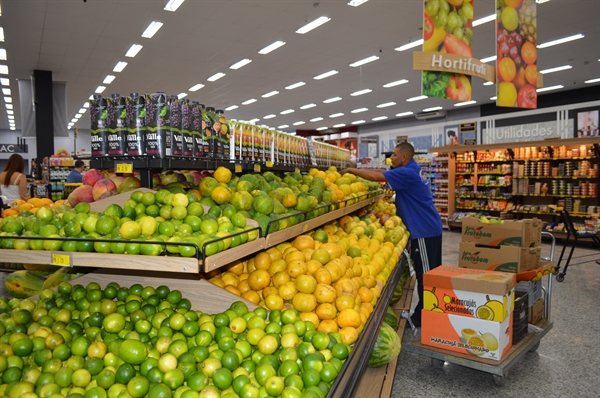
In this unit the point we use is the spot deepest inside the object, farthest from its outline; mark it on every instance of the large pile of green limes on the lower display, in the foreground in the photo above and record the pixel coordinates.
(145, 342)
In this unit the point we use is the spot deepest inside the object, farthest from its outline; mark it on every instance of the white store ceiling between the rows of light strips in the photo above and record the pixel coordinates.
(81, 42)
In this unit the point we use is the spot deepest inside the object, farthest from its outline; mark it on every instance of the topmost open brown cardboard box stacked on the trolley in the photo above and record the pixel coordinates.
(522, 233)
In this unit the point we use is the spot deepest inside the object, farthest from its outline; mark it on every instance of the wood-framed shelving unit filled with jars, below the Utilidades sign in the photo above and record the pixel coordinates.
(516, 180)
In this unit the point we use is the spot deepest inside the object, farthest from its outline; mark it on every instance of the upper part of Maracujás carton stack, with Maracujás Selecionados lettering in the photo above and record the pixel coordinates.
(469, 292)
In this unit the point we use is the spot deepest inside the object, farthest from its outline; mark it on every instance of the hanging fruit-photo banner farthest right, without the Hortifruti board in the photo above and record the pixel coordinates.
(516, 54)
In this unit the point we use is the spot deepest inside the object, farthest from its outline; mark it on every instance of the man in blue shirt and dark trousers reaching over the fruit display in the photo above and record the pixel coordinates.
(414, 204)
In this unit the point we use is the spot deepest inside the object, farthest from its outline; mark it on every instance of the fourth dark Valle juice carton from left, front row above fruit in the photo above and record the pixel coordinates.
(157, 128)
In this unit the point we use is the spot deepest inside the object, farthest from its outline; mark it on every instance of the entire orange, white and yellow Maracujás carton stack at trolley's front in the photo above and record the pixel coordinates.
(468, 311)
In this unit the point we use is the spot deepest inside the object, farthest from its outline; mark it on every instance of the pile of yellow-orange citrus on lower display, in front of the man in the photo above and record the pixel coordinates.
(333, 276)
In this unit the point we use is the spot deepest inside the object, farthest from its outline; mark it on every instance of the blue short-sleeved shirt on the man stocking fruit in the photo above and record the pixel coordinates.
(414, 202)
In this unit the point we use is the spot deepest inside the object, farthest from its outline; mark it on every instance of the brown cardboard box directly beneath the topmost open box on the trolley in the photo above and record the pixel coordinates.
(504, 258)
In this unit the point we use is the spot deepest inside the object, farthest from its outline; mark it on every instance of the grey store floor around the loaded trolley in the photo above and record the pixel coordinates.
(564, 365)
